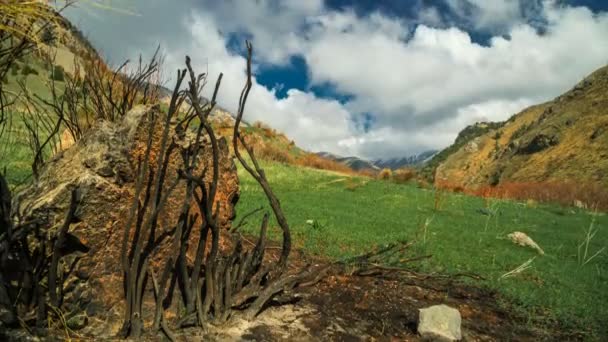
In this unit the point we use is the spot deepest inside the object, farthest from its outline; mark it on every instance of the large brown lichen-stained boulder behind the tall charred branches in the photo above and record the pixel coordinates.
(103, 166)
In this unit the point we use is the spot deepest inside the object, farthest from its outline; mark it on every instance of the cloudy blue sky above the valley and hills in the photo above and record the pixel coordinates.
(374, 79)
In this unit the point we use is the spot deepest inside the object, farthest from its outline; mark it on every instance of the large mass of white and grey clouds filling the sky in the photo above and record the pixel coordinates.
(422, 85)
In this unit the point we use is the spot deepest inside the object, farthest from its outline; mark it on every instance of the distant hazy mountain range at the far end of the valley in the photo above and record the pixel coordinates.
(359, 164)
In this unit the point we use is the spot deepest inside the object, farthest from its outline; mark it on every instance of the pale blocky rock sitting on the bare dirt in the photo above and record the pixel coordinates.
(439, 323)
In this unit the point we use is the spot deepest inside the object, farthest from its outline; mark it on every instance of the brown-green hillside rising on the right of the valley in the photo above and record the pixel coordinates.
(563, 140)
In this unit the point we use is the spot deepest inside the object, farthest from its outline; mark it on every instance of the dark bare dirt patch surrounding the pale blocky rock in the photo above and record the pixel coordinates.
(341, 307)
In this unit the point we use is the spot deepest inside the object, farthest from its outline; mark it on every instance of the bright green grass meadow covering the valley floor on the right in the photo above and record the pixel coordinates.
(354, 215)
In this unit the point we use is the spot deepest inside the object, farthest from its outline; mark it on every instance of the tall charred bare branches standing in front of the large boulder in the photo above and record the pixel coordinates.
(217, 284)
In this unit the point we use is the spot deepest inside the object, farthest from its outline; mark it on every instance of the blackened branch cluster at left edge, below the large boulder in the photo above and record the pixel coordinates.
(31, 279)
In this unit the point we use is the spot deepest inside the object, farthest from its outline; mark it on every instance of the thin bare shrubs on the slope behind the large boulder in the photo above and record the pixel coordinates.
(82, 98)
